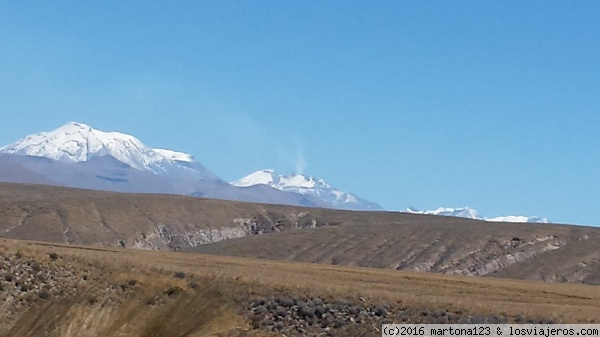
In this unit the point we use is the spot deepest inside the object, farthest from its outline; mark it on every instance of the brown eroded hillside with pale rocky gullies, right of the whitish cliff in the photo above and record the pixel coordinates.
(539, 252)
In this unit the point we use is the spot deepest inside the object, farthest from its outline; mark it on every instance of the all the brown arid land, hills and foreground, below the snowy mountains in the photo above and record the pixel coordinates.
(89, 263)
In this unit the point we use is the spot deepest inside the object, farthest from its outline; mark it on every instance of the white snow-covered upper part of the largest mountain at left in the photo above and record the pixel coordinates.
(77, 142)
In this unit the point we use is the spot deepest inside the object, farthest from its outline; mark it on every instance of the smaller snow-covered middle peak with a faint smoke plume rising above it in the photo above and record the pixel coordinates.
(301, 184)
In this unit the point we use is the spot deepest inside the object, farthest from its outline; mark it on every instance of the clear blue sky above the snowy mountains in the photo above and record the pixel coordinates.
(494, 105)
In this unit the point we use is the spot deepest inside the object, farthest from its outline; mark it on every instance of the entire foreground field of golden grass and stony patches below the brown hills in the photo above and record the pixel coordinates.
(91, 291)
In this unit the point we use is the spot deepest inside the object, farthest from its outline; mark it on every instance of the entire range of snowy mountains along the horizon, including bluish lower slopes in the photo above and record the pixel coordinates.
(77, 155)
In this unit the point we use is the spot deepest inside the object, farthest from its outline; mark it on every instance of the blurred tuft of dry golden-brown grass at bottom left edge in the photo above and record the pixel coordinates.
(193, 313)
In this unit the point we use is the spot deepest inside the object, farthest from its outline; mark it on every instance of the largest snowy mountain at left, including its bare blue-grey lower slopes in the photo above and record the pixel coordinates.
(77, 155)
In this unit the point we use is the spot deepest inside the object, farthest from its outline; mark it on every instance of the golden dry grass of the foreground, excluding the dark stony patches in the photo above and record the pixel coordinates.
(222, 283)
